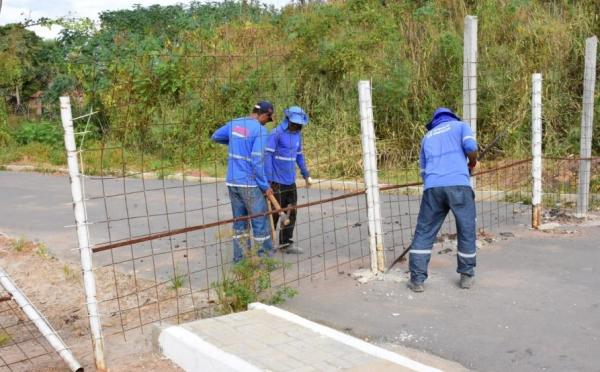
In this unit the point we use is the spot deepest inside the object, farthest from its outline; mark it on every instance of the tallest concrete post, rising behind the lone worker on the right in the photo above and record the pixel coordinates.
(470, 76)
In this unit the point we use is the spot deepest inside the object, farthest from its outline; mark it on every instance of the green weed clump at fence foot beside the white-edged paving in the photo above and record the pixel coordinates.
(249, 281)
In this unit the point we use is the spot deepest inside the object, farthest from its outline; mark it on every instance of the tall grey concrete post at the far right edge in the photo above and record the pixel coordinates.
(587, 123)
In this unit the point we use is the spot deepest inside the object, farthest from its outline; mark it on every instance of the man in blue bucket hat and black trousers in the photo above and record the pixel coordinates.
(283, 153)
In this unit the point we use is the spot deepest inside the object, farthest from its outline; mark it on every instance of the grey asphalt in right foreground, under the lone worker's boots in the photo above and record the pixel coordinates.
(535, 305)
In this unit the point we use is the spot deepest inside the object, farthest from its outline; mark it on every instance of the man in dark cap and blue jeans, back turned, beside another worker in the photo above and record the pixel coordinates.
(246, 138)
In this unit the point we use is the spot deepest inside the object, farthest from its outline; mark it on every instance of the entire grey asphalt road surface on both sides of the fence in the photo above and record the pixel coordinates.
(535, 306)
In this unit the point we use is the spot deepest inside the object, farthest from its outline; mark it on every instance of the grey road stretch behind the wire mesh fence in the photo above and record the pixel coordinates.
(38, 206)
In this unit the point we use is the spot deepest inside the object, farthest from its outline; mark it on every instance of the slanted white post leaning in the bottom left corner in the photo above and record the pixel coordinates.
(40, 322)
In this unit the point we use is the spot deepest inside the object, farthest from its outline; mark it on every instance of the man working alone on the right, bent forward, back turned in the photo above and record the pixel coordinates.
(448, 154)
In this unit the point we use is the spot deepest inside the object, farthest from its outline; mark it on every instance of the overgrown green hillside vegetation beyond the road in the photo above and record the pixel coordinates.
(164, 77)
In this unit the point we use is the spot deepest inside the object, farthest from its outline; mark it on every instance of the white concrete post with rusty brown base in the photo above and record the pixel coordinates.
(536, 149)
